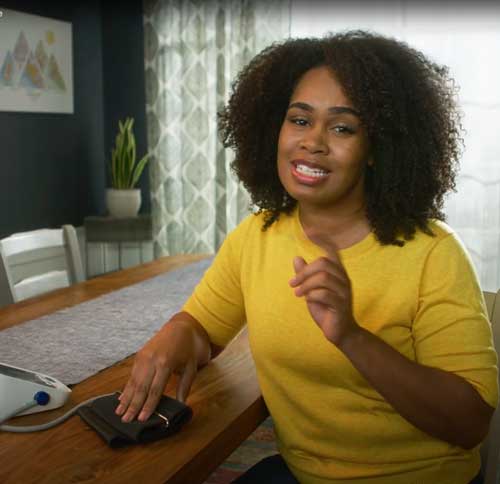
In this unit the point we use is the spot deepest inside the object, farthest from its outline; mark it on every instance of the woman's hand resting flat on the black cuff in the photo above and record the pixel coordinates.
(181, 346)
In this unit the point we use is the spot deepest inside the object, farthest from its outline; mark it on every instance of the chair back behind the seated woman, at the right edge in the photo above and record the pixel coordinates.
(490, 451)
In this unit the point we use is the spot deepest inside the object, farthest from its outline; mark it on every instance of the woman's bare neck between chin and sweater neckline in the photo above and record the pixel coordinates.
(334, 230)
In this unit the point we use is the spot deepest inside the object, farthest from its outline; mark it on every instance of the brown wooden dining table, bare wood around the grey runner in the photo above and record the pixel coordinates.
(225, 398)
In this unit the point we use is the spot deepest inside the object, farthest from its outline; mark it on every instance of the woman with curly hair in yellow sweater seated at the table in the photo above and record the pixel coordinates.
(365, 317)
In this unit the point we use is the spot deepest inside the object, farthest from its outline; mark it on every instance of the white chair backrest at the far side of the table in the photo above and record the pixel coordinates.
(32, 263)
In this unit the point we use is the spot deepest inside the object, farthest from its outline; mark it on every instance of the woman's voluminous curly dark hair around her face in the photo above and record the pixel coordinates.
(406, 102)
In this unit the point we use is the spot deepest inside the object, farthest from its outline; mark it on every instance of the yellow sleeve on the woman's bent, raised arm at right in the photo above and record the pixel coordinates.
(451, 329)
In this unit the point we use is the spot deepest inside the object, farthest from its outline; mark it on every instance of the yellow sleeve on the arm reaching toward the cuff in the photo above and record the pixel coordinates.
(217, 302)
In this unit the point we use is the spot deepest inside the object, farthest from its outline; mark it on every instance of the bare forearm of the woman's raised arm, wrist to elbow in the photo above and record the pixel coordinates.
(440, 403)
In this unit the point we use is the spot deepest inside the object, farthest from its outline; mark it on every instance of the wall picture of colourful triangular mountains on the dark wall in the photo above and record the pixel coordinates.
(36, 67)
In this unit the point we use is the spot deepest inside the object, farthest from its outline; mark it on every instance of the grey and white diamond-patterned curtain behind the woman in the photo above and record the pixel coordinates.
(193, 51)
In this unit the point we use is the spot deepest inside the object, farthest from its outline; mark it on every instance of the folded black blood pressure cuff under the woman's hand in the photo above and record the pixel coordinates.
(170, 415)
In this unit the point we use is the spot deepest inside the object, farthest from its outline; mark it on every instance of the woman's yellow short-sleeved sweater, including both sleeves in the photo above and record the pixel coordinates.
(332, 426)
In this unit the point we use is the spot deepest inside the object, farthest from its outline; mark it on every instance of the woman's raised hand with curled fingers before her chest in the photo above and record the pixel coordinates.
(327, 290)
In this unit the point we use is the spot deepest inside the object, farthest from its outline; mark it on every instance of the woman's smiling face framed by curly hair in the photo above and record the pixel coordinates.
(323, 148)
